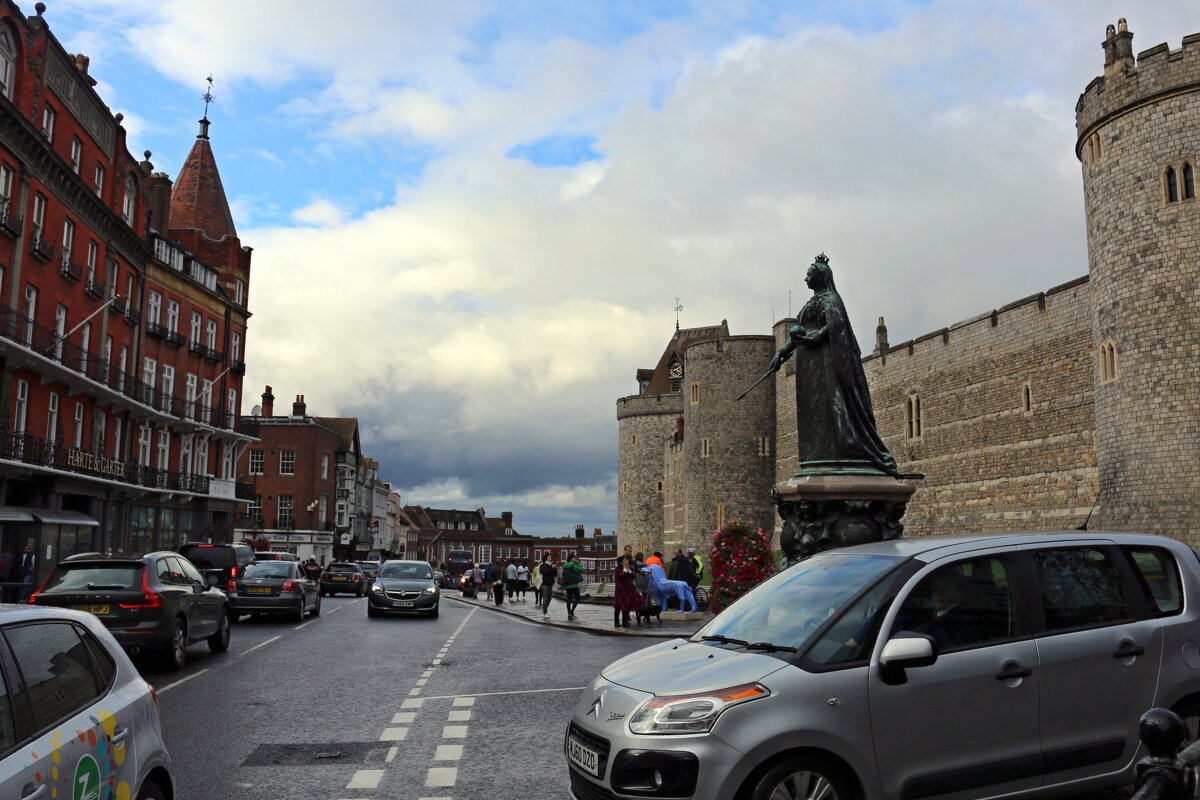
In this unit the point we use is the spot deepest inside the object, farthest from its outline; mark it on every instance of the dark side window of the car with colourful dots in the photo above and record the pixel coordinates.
(57, 670)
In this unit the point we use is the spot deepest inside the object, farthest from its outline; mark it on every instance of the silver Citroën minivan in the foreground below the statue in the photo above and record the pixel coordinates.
(950, 667)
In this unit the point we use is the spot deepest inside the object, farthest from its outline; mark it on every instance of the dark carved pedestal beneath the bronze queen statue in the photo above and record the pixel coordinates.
(821, 513)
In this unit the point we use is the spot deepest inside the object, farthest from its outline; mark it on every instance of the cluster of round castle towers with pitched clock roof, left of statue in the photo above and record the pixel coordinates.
(692, 458)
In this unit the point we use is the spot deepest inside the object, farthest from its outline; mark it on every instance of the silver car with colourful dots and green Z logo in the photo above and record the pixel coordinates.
(68, 677)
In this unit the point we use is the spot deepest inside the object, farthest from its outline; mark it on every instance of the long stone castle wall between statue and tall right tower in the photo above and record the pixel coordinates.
(991, 464)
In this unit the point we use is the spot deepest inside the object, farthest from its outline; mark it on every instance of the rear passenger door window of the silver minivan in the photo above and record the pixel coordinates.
(1081, 588)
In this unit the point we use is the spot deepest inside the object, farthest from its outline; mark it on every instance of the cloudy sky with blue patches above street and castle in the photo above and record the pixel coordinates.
(471, 220)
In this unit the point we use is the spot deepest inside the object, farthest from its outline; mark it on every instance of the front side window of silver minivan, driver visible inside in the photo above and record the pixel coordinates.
(969, 604)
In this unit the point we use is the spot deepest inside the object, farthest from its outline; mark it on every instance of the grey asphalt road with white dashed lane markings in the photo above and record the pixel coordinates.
(472, 705)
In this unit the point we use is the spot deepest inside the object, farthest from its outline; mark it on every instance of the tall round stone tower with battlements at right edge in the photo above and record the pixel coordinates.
(1139, 143)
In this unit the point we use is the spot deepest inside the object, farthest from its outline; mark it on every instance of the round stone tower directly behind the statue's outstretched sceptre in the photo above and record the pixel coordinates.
(735, 476)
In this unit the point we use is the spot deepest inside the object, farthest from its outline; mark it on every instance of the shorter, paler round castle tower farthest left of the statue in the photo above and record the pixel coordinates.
(644, 424)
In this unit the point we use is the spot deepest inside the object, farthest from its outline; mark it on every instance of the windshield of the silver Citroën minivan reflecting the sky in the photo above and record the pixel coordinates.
(787, 610)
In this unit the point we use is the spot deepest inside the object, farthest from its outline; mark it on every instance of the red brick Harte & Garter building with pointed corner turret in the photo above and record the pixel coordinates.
(118, 431)
